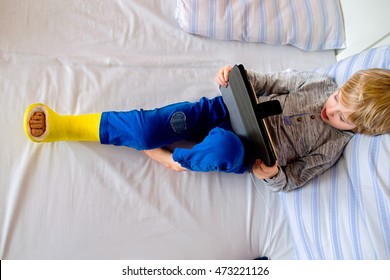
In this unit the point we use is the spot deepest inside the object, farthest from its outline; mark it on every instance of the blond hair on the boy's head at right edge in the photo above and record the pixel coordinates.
(367, 93)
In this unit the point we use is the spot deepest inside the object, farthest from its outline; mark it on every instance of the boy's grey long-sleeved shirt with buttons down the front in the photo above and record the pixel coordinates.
(306, 146)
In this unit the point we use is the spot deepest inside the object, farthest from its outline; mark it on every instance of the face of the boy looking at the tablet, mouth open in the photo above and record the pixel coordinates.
(336, 114)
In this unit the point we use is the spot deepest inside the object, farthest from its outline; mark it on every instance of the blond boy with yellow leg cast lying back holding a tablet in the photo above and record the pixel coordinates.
(317, 122)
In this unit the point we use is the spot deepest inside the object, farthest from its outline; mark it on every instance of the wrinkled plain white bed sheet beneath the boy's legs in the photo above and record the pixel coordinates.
(89, 201)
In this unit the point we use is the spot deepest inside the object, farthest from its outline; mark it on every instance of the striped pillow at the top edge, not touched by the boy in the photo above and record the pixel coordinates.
(309, 25)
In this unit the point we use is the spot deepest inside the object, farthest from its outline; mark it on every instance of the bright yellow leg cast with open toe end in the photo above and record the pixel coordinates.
(63, 127)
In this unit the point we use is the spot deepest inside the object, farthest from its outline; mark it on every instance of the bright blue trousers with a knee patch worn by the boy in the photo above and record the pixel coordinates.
(206, 122)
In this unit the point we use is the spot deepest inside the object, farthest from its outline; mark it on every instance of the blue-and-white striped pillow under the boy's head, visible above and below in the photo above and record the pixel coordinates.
(345, 213)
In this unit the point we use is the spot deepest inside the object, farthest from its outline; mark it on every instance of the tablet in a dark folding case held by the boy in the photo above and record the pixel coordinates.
(247, 117)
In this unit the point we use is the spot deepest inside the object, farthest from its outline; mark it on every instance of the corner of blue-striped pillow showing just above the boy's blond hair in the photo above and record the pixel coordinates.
(344, 69)
